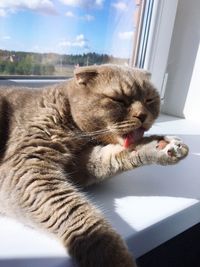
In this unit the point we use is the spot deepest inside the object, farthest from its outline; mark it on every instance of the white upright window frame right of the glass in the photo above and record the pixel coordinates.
(158, 41)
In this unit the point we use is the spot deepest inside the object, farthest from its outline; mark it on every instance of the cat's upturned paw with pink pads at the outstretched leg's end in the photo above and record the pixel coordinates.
(173, 147)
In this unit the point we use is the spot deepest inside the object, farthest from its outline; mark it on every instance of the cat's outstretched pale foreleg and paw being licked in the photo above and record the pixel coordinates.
(101, 162)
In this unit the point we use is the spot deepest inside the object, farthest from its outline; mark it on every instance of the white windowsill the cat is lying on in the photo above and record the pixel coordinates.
(147, 206)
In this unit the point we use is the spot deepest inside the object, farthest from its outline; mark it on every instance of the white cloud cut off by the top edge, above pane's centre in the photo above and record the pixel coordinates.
(83, 3)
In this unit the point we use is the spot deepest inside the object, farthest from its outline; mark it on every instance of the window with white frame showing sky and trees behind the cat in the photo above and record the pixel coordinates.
(48, 38)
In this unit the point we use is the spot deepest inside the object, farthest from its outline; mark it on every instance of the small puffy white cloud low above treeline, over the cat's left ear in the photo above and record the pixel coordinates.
(80, 41)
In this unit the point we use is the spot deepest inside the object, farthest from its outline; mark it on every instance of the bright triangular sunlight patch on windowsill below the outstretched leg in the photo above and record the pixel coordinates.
(141, 218)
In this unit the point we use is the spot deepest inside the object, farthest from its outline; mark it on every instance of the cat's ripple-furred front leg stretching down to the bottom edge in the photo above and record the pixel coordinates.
(42, 196)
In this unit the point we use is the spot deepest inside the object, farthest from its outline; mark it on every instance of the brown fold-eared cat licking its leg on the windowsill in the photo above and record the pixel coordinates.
(56, 140)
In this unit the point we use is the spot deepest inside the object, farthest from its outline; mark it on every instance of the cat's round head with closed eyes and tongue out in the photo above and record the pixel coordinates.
(115, 104)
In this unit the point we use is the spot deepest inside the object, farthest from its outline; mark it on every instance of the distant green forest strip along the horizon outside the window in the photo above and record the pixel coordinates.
(27, 63)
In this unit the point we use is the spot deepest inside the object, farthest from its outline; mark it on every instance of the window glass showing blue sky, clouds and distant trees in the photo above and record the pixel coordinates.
(51, 37)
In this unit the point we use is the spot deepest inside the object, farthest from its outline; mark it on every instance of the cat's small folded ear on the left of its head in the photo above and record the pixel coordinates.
(83, 75)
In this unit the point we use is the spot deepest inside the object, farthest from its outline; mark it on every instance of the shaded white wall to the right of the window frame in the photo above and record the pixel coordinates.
(182, 57)
